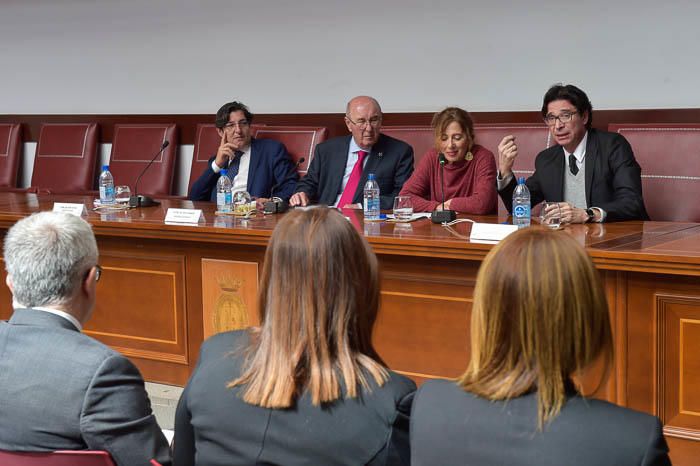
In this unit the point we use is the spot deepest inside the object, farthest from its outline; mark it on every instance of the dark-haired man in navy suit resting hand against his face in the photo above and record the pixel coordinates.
(254, 165)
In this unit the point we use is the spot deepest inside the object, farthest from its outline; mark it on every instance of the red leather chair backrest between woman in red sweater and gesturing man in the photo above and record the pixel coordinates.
(530, 138)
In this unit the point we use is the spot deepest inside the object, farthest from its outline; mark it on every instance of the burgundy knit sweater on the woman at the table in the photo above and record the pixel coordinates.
(470, 184)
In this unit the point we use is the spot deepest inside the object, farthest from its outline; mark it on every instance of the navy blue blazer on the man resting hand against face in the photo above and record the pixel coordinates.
(270, 167)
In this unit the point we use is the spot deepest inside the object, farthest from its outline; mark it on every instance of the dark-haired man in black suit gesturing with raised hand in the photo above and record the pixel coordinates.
(592, 175)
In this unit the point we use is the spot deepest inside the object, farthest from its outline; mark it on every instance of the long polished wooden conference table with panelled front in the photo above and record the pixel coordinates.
(166, 287)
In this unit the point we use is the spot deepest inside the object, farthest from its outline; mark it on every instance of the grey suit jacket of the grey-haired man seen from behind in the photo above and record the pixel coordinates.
(62, 390)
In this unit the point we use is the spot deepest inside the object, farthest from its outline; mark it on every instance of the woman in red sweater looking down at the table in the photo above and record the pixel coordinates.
(470, 171)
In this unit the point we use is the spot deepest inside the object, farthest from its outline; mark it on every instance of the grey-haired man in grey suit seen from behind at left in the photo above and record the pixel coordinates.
(59, 388)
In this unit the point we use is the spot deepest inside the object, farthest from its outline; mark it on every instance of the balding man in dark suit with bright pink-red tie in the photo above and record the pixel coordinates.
(338, 171)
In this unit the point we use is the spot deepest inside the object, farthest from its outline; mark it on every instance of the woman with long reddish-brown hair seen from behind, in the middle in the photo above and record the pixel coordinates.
(307, 387)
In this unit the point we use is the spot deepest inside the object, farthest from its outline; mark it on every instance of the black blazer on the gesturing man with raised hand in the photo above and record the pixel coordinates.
(613, 177)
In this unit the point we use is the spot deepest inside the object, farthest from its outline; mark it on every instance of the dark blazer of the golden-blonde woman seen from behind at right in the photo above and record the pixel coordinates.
(450, 426)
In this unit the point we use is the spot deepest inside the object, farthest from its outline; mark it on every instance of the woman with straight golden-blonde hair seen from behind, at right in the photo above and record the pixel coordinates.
(539, 318)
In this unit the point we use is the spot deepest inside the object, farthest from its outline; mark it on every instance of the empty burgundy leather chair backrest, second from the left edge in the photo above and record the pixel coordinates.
(65, 158)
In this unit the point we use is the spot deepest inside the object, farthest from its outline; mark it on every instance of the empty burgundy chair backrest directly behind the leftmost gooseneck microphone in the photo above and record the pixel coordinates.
(133, 148)
